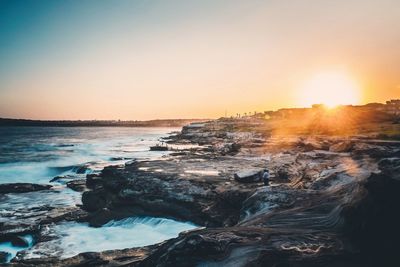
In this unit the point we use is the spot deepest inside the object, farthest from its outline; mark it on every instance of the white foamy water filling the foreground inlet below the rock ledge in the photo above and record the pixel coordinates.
(75, 238)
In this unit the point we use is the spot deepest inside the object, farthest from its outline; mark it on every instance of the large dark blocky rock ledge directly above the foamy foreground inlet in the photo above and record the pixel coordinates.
(204, 200)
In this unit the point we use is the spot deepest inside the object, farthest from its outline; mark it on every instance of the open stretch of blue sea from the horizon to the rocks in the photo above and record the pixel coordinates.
(35, 155)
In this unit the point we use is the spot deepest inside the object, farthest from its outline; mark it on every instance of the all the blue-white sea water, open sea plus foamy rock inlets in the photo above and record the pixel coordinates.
(37, 154)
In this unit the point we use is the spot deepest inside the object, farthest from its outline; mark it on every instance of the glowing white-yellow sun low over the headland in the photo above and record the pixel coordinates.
(330, 89)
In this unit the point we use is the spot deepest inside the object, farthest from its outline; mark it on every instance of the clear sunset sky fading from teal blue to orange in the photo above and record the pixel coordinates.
(149, 59)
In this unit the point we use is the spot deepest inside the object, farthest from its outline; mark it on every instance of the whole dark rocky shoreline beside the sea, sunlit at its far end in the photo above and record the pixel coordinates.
(333, 201)
